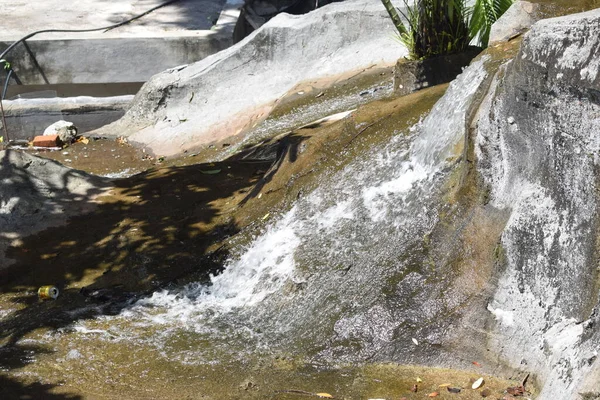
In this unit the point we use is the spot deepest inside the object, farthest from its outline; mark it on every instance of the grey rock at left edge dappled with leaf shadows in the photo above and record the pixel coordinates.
(36, 193)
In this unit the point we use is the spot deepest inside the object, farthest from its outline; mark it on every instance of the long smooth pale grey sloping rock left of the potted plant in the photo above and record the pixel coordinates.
(218, 97)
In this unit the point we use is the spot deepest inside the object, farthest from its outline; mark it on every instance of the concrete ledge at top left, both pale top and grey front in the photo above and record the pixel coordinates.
(173, 35)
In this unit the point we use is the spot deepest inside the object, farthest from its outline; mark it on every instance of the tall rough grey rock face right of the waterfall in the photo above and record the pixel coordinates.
(538, 148)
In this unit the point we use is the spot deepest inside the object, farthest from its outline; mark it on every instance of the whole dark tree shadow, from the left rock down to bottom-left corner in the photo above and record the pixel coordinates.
(165, 226)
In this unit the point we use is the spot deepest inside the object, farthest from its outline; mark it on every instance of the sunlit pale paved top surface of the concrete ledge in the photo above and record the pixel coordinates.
(20, 17)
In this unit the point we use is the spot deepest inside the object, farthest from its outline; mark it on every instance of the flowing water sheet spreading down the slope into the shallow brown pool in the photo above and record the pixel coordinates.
(316, 281)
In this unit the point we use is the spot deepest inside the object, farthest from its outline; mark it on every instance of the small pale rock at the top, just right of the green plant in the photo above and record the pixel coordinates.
(518, 18)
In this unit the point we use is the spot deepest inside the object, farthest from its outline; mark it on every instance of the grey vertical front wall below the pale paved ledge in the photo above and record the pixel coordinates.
(108, 60)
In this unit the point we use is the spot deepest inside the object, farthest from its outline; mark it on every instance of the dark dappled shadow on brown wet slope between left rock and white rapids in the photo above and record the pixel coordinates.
(151, 229)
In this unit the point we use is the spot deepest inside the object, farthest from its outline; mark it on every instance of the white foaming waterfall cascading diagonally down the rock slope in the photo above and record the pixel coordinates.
(361, 220)
